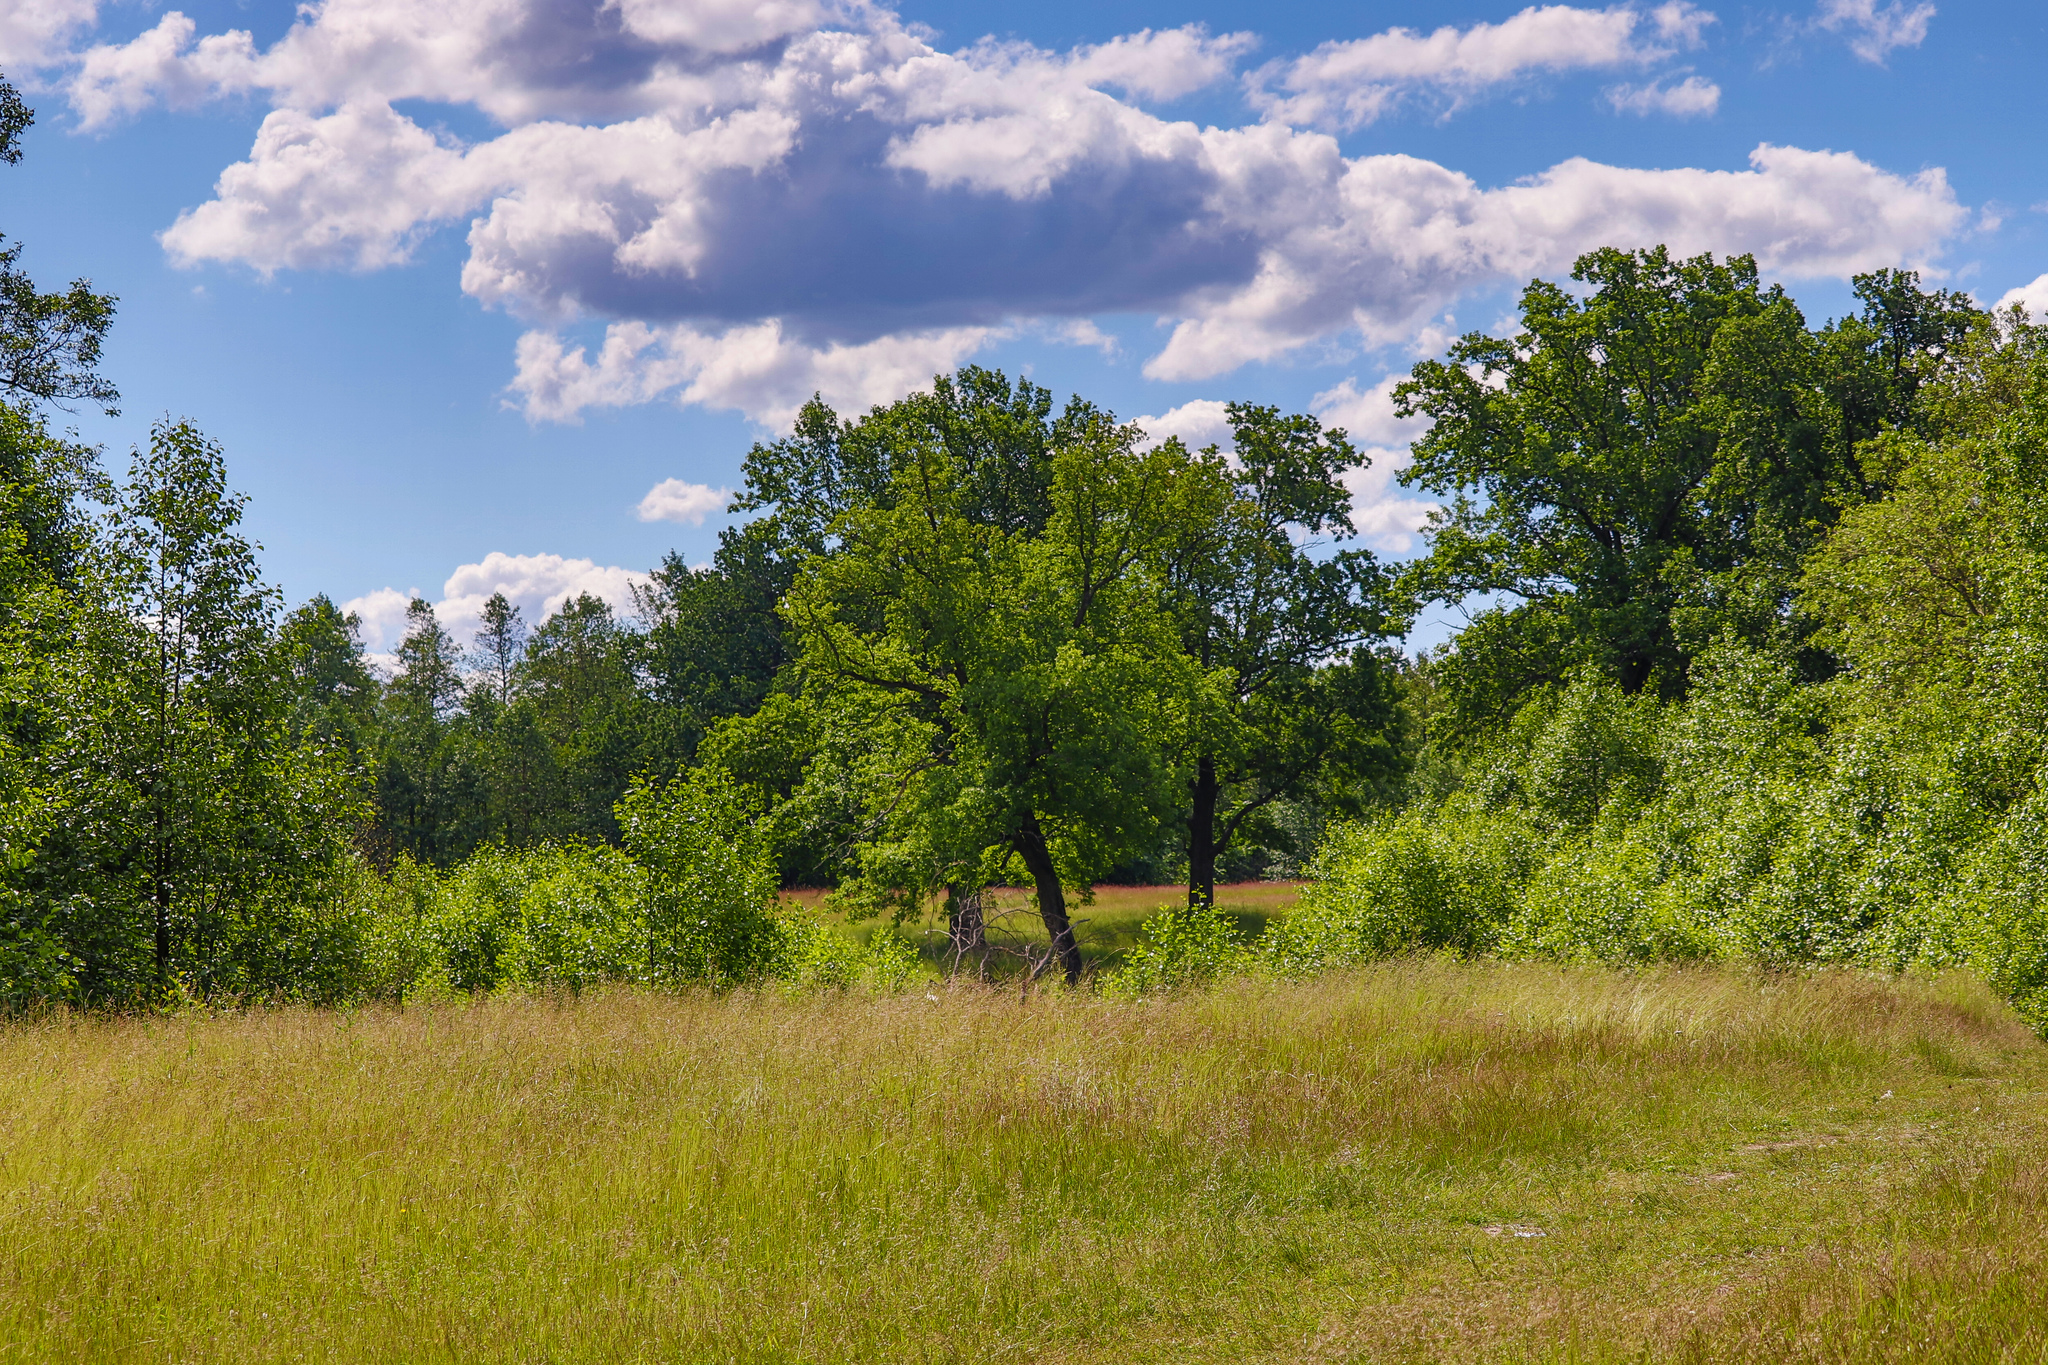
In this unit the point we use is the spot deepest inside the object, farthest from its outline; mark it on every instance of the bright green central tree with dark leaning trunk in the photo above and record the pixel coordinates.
(1021, 693)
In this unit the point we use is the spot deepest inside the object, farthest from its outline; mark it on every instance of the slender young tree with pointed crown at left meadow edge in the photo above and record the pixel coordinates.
(191, 830)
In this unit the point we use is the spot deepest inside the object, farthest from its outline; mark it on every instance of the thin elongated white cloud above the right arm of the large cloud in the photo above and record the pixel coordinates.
(1349, 85)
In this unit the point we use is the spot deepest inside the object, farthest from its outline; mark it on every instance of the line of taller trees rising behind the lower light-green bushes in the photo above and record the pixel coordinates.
(962, 642)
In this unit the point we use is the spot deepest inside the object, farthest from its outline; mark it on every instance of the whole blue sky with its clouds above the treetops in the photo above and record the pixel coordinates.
(495, 296)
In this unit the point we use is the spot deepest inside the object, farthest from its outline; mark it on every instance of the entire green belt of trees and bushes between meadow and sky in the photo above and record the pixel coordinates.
(1754, 670)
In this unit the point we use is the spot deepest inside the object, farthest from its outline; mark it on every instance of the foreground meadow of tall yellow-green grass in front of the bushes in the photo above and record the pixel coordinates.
(1412, 1163)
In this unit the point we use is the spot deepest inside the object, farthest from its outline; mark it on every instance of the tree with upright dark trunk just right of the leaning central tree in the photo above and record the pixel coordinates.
(1283, 623)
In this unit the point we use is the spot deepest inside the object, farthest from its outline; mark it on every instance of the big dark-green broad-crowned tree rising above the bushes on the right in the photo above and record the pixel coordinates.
(1641, 470)
